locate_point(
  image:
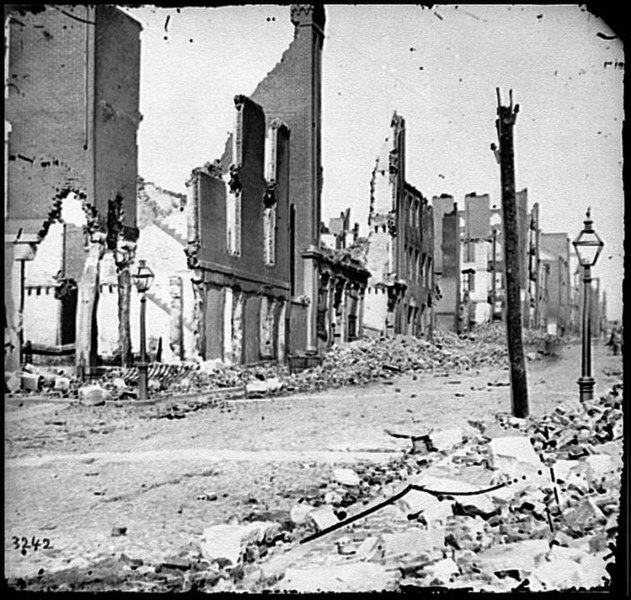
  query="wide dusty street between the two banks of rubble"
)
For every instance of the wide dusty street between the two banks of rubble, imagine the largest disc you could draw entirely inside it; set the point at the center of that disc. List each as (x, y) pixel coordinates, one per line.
(74, 473)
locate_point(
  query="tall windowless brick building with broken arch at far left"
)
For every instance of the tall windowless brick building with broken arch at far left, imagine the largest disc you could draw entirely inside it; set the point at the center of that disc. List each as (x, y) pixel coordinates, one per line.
(71, 118)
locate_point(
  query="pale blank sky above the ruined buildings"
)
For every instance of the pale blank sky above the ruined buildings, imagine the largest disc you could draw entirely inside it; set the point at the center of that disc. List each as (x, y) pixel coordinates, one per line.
(439, 68)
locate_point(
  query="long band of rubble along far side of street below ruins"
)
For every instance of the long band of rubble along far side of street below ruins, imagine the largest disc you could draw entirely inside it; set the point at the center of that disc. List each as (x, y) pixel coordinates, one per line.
(356, 363)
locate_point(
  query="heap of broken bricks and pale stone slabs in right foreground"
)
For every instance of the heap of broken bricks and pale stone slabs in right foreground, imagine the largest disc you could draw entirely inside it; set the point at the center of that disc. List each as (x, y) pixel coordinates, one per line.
(516, 504)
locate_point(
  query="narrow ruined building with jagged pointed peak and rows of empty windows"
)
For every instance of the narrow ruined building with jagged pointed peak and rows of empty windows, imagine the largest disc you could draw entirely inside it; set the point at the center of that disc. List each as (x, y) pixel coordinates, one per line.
(401, 291)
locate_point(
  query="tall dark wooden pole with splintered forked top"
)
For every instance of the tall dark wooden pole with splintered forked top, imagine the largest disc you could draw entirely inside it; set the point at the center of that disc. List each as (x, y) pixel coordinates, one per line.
(519, 388)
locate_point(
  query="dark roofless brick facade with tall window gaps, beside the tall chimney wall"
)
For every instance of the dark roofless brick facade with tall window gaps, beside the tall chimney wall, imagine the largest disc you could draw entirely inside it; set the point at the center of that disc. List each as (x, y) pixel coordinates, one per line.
(237, 235)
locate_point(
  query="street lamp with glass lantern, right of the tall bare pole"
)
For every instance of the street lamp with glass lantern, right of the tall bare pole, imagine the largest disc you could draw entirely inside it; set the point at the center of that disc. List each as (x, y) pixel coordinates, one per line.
(588, 248)
